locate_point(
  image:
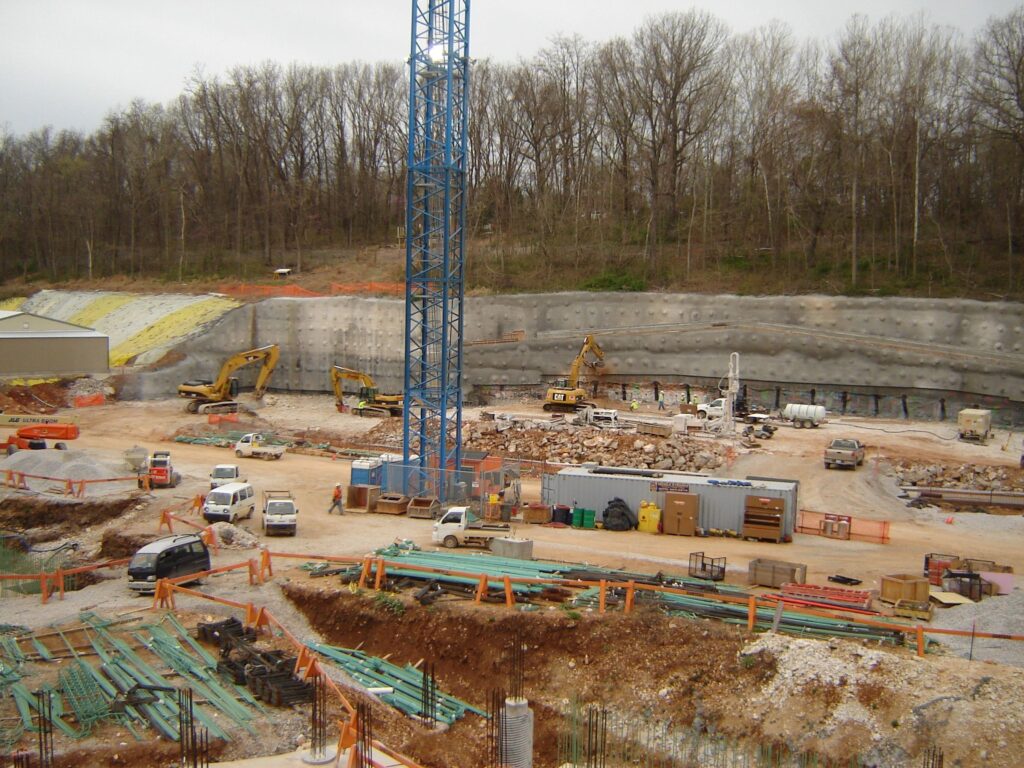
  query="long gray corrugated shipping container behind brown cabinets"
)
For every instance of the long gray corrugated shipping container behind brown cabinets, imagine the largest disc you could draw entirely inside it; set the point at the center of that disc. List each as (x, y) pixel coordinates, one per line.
(722, 500)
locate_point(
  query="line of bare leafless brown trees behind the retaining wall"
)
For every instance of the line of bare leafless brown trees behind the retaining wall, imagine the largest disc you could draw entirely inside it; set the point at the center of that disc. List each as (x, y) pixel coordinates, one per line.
(887, 159)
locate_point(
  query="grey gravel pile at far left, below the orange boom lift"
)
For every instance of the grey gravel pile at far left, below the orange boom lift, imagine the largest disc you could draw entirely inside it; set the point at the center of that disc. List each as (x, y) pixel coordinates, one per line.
(59, 466)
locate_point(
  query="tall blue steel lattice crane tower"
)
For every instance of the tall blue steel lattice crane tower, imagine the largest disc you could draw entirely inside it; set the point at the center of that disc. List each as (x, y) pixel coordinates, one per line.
(436, 214)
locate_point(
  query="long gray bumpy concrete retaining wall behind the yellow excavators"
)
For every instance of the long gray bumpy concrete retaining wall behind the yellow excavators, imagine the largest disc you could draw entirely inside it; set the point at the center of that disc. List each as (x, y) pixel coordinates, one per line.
(864, 346)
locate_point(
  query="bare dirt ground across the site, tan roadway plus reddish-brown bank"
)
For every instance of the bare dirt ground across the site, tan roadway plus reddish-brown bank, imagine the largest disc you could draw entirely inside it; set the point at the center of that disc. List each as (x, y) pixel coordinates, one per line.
(836, 700)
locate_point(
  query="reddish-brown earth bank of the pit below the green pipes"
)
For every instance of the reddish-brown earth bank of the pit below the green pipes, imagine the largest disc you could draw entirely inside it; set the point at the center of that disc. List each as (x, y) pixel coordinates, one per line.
(641, 666)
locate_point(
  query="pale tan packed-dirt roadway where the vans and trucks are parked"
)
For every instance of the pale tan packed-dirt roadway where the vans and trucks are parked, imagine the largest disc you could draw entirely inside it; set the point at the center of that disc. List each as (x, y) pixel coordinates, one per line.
(869, 493)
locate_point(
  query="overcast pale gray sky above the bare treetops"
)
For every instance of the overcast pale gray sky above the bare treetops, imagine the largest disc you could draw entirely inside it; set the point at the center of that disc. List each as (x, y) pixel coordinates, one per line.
(68, 63)
